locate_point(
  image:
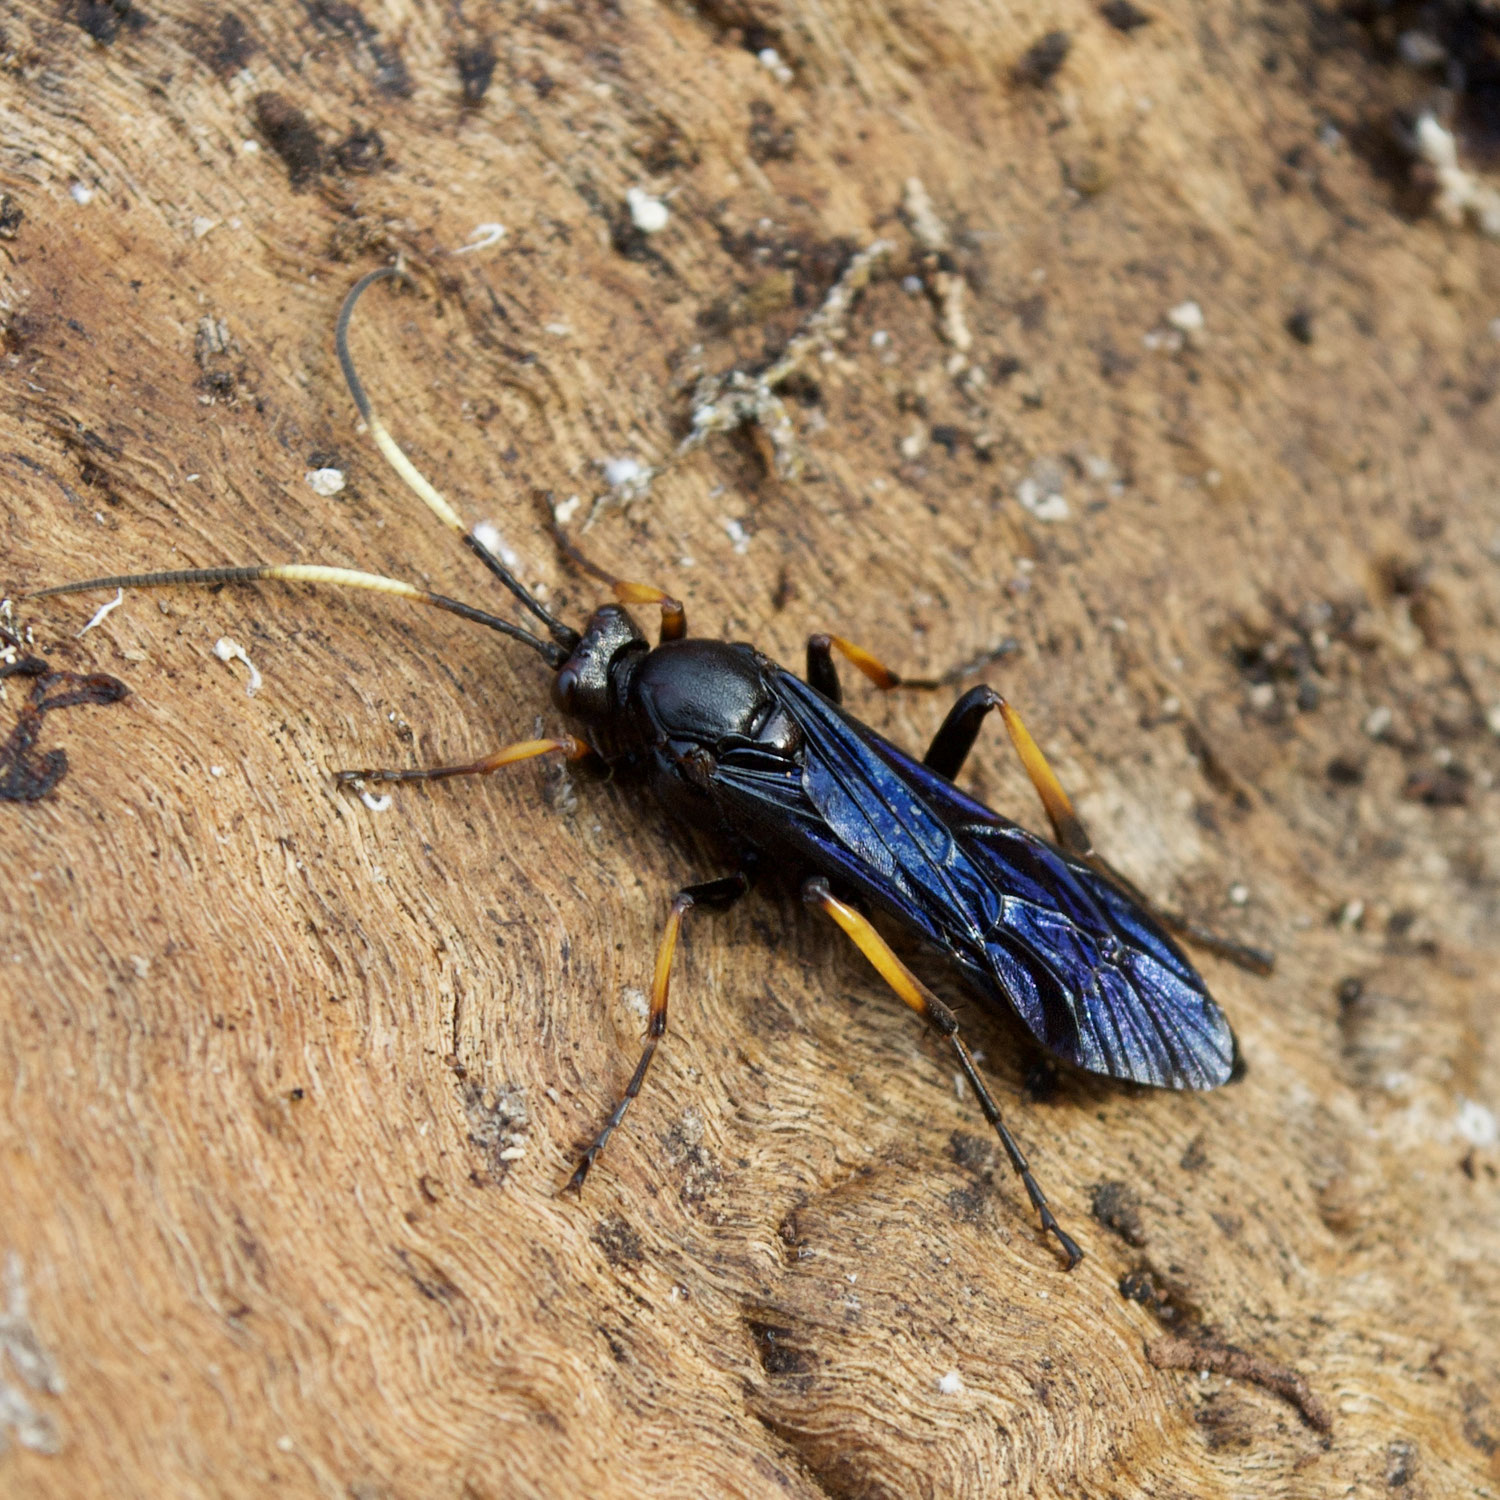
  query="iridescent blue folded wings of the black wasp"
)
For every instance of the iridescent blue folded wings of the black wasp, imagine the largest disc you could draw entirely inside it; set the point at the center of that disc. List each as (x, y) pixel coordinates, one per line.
(1093, 976)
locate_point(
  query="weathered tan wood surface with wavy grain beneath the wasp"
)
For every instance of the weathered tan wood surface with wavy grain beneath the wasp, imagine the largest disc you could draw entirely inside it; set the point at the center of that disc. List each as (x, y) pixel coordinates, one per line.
(292, 1087)
